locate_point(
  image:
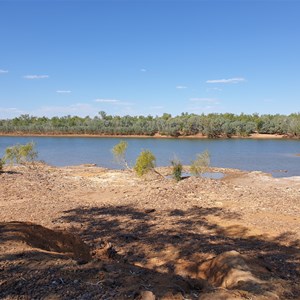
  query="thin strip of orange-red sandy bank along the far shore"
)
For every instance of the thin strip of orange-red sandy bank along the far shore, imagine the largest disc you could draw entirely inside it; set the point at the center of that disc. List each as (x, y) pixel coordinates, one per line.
(157, 136)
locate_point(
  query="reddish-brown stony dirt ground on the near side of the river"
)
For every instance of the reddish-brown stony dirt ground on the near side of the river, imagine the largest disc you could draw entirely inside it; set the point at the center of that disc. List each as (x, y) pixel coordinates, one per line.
(85, 232)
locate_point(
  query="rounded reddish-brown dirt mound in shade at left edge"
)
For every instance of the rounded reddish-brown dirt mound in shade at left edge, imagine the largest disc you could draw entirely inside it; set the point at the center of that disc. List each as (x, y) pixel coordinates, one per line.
(37, 236)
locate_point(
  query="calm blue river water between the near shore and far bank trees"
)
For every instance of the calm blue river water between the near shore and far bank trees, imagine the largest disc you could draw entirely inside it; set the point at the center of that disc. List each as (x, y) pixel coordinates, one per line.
(276, 156)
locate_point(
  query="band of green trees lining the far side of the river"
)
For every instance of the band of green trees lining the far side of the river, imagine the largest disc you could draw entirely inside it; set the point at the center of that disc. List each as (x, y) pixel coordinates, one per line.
(210, 125)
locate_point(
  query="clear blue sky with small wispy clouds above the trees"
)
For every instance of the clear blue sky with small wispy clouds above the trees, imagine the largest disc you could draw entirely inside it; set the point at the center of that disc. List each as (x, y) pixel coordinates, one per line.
(149, 57)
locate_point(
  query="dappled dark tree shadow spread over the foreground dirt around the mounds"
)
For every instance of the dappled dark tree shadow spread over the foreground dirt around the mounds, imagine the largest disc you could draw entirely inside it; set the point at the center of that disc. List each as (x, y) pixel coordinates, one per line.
(160, 251)
